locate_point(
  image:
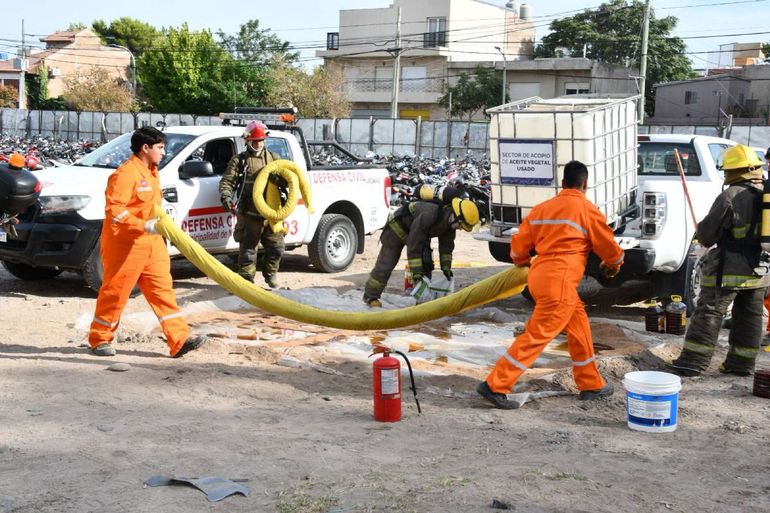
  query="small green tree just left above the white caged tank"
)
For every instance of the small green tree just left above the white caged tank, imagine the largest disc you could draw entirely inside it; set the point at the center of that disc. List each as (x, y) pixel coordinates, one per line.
(479, 89)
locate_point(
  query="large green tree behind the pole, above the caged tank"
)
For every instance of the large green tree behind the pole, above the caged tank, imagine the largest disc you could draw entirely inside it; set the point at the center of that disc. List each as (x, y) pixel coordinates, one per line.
(612, 33)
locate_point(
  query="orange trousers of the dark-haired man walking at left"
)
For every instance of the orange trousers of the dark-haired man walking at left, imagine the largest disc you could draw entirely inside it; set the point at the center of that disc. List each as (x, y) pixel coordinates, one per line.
(147, 263)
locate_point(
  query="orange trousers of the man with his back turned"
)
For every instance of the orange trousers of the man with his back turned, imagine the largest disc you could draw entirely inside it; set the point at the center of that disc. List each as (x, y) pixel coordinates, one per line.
(553, 282)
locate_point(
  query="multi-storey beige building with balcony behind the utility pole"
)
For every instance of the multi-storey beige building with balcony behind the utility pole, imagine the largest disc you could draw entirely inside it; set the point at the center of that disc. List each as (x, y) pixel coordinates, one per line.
(435, 34)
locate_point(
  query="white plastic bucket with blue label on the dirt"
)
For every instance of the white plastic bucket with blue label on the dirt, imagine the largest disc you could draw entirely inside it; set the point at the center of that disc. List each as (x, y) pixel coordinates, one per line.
(652, 400)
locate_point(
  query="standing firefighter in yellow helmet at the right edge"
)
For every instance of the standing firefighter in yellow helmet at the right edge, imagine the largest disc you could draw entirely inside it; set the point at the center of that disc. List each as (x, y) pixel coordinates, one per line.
(728, 272)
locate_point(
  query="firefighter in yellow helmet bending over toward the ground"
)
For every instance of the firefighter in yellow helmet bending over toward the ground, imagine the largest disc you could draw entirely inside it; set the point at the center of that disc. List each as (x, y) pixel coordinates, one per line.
(413, 226)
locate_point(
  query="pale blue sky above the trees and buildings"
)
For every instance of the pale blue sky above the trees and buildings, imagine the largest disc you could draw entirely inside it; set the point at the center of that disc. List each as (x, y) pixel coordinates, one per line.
(703, 23)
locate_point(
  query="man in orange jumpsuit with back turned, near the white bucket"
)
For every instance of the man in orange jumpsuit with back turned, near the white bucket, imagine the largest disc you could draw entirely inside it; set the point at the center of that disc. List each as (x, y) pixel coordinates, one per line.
(562, 231)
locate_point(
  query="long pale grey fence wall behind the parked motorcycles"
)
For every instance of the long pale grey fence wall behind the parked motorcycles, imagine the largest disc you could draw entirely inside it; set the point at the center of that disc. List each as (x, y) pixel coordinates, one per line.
(382, 136)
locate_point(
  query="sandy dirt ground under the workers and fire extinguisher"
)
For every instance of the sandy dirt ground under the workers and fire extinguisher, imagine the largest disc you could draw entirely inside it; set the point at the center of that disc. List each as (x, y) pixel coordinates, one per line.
(287, 409)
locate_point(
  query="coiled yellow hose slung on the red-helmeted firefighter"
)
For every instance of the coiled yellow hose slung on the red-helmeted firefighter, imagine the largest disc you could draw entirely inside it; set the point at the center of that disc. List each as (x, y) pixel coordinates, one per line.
(267, 198)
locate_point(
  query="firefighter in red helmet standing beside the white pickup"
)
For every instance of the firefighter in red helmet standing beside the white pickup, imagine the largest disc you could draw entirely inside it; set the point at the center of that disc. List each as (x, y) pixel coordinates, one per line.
(251, 228)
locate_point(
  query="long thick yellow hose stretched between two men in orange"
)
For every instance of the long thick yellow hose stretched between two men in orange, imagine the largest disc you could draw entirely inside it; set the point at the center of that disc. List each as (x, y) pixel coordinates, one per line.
(499, 286)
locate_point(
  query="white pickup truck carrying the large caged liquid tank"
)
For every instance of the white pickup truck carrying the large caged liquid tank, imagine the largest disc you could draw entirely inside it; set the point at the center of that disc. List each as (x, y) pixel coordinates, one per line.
(658, 239)
